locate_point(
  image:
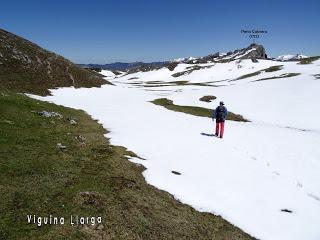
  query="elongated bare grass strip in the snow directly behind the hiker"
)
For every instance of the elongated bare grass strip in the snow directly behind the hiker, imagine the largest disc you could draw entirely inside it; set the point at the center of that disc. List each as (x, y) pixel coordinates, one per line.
(196, 111)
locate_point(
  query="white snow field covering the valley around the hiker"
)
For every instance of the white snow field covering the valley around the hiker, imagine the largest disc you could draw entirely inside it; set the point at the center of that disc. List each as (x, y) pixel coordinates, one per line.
(262, 177)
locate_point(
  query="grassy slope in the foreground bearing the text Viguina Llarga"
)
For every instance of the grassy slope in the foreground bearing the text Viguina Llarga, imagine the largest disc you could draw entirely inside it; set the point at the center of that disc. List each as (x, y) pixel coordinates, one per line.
(88, 178)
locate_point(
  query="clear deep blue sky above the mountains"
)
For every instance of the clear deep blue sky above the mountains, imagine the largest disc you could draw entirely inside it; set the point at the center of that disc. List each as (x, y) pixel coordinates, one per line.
(100, 31)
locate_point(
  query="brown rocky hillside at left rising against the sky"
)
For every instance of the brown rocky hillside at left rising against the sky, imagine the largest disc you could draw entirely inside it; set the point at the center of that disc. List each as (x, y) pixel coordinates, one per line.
(26, 67)
